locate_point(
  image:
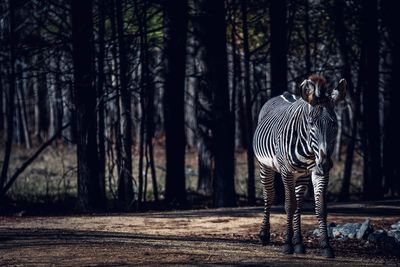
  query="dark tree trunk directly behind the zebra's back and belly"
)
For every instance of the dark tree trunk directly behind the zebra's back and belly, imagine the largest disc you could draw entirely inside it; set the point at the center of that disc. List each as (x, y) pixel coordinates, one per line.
(279, 46)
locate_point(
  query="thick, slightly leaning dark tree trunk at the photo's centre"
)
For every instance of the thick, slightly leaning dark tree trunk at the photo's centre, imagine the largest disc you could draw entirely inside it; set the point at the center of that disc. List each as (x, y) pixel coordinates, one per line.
(213, 37)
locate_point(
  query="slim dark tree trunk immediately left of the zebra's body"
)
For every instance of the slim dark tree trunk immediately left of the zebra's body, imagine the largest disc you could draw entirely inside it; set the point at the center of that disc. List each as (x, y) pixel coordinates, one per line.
(251, 193)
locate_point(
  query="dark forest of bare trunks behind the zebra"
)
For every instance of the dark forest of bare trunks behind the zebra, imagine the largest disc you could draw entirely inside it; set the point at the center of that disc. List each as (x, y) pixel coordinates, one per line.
(135, 104)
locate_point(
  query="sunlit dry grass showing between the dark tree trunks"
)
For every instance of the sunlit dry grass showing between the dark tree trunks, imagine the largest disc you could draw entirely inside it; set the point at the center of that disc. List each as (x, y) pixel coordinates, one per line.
(52, 176)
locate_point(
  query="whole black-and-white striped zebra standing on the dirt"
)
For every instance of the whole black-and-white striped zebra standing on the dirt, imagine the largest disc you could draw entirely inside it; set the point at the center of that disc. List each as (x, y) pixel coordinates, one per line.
(296, 136)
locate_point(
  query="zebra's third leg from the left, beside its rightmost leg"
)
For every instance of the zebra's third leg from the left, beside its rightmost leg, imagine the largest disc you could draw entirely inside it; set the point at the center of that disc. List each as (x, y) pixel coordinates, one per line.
(301, 187)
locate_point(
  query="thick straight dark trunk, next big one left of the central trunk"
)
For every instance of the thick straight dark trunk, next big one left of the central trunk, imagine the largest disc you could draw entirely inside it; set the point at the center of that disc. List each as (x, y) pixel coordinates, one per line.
(175, 20)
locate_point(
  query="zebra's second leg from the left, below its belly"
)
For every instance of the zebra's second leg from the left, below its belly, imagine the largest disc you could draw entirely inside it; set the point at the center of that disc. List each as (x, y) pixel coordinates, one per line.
(290, 207)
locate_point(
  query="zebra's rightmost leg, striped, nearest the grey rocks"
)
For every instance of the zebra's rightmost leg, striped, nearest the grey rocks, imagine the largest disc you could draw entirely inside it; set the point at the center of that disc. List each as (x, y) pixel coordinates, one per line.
(320, 184)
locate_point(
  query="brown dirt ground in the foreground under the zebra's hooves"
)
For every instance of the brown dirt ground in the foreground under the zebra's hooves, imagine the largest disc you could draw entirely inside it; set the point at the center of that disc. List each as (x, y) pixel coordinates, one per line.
(194, 237)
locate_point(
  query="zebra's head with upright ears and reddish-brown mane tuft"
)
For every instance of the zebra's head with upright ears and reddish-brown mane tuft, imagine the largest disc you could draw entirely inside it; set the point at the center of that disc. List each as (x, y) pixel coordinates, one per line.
(321, 119)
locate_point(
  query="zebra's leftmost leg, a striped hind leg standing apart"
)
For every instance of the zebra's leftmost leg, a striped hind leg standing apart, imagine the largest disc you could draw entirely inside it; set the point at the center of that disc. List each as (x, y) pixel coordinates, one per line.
(267, 181)
